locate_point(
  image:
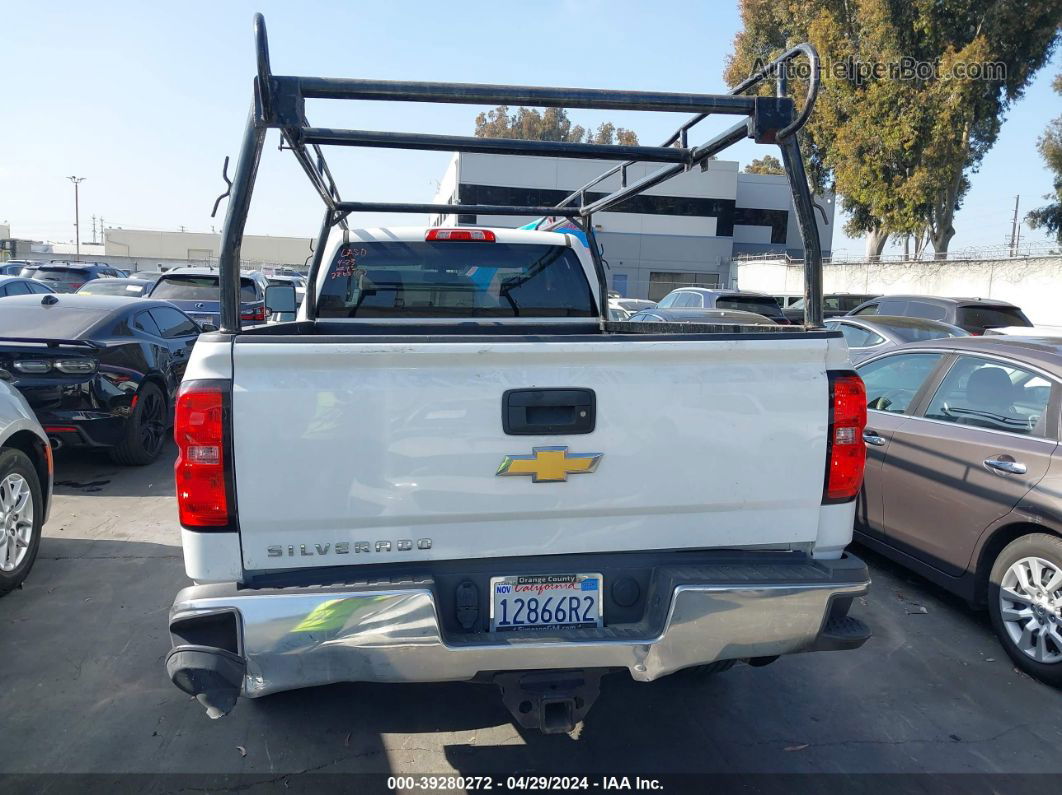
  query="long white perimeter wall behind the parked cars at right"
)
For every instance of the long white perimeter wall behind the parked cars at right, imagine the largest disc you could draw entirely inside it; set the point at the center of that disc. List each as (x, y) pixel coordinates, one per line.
(1034, 284)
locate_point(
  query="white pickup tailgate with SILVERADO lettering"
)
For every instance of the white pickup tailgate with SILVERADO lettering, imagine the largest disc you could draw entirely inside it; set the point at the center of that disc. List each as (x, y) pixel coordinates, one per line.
(363, 452)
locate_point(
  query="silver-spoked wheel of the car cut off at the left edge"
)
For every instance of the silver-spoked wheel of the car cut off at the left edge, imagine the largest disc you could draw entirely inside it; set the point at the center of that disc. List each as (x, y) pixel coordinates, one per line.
(22, 516)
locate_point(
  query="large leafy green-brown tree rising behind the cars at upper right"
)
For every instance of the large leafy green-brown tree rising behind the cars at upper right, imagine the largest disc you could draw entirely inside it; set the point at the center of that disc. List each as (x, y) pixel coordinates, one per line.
(914, 95)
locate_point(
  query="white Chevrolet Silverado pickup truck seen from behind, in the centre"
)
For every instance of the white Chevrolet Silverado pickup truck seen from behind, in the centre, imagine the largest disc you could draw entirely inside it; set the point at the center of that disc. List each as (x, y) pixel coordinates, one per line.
(452, 468)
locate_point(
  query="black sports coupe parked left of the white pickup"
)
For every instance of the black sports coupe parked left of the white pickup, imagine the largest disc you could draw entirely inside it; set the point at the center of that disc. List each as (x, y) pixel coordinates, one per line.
(98, 371)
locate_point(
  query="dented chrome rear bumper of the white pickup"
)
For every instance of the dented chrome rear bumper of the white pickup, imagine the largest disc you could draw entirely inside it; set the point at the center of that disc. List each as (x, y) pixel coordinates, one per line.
(293, 638)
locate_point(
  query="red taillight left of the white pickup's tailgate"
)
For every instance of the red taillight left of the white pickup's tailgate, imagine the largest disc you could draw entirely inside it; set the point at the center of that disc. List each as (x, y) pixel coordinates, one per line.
(200, 472)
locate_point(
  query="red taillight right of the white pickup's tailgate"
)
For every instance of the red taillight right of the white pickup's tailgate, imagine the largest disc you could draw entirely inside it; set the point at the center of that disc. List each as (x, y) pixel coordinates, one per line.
(846, 454)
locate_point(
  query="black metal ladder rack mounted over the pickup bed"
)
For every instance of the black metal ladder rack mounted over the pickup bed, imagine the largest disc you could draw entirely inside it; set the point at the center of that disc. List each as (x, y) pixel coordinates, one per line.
(280, 103)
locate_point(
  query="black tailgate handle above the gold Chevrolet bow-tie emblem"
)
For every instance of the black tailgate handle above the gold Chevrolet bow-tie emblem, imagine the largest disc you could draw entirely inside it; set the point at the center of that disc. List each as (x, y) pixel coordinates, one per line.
(549, 412)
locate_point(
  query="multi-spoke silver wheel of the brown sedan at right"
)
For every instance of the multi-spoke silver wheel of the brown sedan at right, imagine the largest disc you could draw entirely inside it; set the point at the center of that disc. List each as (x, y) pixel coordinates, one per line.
(1025, 602)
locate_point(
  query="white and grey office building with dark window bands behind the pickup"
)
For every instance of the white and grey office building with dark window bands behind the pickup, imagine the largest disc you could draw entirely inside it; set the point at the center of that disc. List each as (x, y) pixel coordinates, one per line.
(684, 232)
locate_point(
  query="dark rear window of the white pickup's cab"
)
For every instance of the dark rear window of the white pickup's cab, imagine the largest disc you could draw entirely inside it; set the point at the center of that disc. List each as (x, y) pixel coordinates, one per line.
(455, 280)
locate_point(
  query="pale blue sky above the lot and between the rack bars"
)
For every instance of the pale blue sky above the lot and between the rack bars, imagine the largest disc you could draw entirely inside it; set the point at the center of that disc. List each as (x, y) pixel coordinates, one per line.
(145, 101)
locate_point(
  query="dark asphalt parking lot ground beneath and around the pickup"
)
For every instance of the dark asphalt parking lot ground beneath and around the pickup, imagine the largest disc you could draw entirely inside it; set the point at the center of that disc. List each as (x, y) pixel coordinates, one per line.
(84, 688)
